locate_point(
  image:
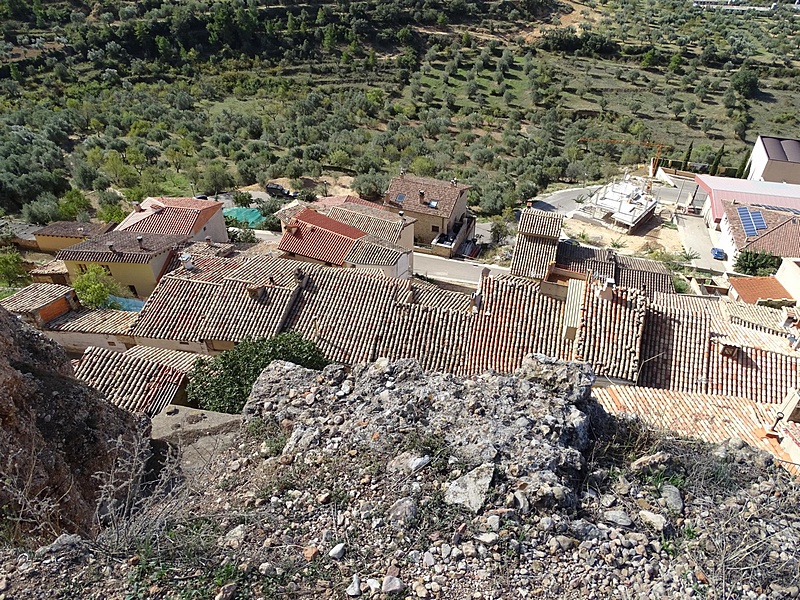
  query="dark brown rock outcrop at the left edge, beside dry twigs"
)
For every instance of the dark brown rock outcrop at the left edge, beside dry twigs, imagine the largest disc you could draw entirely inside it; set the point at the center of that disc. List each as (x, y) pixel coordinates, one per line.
(56, 434)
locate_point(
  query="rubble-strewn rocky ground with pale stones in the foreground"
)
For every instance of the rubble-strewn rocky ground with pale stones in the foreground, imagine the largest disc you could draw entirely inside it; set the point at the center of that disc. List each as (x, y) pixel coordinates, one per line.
(384, 481)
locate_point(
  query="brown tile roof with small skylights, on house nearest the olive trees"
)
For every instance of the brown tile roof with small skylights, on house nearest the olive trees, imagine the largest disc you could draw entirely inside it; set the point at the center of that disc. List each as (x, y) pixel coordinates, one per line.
(408, 187)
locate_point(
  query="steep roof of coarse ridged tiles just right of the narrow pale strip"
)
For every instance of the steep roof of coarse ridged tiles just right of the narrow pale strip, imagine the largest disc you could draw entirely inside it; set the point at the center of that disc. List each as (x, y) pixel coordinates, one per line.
(610, 334)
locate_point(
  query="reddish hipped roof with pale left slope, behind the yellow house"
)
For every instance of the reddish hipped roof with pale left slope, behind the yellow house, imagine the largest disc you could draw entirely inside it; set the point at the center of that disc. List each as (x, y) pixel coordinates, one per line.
(171, 216)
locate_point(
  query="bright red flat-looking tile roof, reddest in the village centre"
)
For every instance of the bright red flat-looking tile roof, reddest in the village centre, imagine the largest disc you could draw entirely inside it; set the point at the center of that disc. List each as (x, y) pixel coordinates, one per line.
(312, 235)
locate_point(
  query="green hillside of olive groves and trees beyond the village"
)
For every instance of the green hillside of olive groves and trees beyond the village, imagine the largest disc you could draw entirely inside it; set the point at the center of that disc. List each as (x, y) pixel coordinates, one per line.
(167, 98)
